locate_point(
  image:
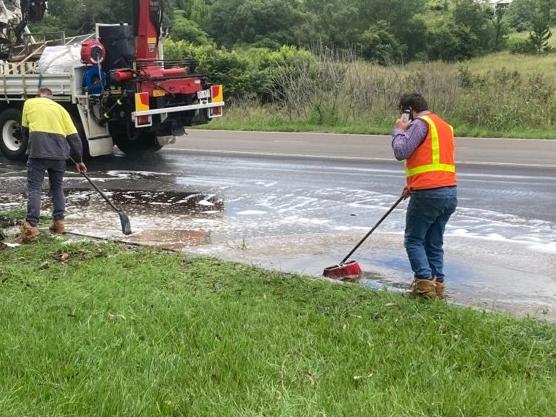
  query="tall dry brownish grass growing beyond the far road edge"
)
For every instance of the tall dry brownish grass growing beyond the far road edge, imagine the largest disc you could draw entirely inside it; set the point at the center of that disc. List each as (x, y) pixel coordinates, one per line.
(343, 91)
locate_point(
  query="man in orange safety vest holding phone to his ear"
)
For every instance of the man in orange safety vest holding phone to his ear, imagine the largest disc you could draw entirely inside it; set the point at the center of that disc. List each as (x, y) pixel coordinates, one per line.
(426, 142)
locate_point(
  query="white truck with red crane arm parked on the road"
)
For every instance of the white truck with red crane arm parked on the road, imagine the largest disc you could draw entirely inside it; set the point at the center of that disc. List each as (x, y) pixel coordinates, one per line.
(120, 91)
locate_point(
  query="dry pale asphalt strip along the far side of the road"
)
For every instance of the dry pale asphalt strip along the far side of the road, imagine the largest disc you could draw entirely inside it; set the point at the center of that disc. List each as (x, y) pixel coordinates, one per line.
(476, 151)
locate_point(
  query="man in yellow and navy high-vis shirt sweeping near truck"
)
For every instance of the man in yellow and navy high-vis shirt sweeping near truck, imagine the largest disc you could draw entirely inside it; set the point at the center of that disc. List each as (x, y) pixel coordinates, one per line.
(52, 139)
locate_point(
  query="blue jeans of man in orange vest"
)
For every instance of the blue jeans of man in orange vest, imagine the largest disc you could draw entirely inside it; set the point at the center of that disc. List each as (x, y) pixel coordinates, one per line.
(427, 214)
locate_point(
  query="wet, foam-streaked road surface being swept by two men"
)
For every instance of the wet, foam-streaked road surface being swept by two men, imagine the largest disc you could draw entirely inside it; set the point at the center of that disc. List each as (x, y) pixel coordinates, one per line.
(299, 214)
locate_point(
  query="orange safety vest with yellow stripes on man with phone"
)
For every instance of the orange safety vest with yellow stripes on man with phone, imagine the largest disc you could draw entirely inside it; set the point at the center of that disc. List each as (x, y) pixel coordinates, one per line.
(432, 164)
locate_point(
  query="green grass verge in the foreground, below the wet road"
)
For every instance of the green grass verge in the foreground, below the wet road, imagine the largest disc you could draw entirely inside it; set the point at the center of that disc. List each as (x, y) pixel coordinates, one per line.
(94, 329)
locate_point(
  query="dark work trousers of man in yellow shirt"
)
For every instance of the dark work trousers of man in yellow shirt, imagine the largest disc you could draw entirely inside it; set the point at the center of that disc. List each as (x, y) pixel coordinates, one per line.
(35, 177)
